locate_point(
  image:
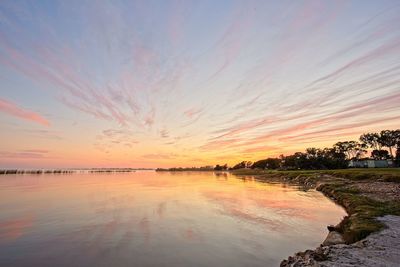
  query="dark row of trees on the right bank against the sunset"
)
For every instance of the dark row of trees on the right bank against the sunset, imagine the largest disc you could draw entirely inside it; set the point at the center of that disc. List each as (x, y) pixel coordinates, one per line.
(383, 145)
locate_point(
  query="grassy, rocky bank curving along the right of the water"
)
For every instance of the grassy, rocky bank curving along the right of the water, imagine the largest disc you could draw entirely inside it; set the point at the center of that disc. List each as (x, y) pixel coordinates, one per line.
(371, 226)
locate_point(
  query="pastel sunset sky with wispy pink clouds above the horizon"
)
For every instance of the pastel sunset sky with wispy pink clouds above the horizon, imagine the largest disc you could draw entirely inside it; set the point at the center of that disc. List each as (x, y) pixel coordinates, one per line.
(191, 83)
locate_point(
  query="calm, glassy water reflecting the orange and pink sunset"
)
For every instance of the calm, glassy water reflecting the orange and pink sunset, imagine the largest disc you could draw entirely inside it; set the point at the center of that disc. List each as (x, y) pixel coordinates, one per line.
(156, 219)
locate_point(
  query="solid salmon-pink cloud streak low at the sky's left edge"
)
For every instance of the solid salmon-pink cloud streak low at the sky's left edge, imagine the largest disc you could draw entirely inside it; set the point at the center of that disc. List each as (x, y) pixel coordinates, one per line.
(16, 111)
